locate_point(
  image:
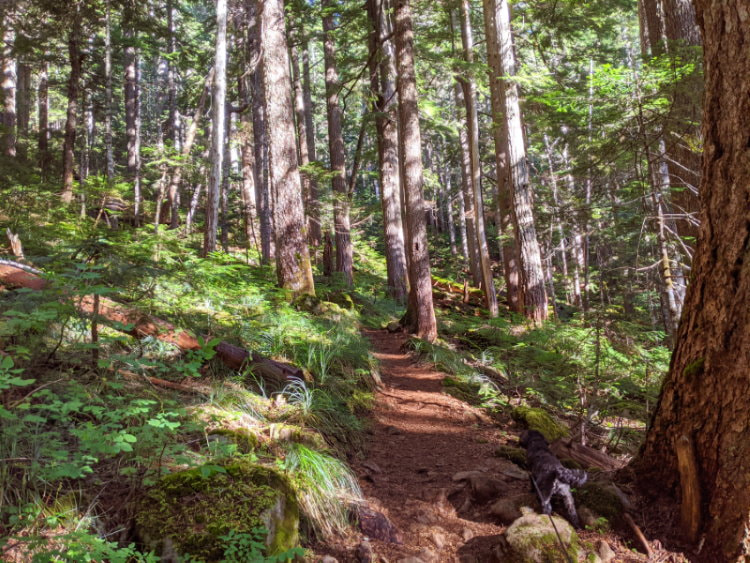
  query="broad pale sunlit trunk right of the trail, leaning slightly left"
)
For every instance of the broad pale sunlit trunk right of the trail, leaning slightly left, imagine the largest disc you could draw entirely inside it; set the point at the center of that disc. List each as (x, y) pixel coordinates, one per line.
(535, 295)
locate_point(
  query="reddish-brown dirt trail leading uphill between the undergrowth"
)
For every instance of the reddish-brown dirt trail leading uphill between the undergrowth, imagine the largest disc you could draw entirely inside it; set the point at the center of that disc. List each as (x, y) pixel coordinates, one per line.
(419, 441)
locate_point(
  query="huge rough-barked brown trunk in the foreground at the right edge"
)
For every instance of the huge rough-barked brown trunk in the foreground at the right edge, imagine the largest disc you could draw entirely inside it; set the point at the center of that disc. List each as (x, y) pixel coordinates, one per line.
(704, 395)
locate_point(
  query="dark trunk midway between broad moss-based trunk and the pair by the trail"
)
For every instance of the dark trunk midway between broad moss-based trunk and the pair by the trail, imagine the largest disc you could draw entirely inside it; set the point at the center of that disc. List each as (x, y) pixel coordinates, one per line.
(341, 195)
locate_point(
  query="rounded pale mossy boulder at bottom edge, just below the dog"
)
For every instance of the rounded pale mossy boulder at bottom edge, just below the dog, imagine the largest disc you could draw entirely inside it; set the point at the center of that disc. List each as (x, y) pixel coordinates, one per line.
(533, 539)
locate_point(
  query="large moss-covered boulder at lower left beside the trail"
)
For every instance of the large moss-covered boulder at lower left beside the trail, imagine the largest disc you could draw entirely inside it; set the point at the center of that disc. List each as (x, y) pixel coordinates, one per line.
(187, 513)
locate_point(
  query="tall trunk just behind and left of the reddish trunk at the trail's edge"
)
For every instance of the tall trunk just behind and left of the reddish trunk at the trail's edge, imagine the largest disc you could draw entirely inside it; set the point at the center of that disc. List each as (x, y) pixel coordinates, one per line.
(382, 76)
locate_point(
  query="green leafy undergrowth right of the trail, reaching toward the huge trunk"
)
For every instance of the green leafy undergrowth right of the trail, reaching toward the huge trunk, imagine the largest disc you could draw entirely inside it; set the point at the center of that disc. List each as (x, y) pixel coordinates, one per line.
(602, 374)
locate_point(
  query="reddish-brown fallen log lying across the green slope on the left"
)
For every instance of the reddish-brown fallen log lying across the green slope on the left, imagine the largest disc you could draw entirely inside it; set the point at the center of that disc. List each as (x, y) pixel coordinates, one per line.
(138, 324)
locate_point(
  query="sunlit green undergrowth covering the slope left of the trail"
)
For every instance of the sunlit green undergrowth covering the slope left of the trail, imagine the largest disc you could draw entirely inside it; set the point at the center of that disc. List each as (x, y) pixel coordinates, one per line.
(85, 431)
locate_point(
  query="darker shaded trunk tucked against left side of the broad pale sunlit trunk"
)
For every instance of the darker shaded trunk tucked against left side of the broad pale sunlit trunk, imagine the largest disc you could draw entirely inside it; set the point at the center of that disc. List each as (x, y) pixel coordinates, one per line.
(507, 240)
